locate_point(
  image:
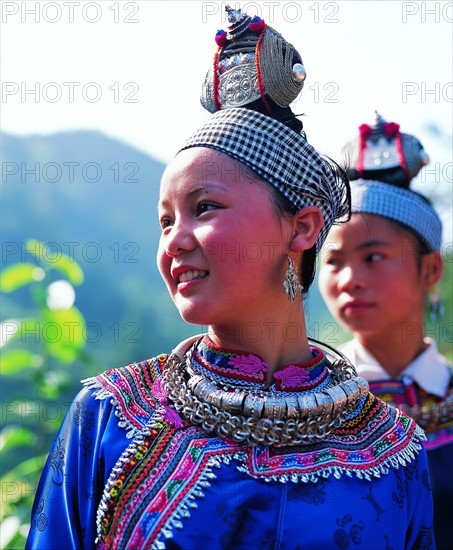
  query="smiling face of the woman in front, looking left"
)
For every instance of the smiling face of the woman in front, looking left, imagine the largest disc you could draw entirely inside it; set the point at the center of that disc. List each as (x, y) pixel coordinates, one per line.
(222, 251)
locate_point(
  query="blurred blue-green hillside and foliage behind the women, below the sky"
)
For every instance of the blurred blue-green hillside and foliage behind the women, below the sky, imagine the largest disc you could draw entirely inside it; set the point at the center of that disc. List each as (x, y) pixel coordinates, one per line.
(85, 295)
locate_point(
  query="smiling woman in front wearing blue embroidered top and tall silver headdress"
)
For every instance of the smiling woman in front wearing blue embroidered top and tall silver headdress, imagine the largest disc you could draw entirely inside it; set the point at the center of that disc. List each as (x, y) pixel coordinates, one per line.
(247, 436)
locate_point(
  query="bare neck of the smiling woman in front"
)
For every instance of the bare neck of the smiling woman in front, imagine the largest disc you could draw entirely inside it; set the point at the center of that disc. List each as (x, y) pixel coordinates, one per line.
(275, 342)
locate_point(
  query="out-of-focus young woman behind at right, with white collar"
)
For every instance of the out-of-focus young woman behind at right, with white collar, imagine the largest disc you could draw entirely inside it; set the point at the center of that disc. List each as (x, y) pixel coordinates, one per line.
(377, 271)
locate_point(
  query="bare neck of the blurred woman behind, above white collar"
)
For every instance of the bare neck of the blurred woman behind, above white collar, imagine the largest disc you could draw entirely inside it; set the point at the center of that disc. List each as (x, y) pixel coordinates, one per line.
(395, 351)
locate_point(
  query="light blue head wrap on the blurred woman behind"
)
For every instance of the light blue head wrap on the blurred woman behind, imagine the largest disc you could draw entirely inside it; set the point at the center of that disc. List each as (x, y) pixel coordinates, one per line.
(401, 205)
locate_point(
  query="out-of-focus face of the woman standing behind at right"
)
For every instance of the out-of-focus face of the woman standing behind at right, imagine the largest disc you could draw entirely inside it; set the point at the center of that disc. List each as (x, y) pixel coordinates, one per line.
(371, 278)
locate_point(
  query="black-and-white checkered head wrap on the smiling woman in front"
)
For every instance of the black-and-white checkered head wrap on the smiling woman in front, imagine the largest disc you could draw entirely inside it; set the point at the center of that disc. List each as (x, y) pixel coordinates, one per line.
(280, 156)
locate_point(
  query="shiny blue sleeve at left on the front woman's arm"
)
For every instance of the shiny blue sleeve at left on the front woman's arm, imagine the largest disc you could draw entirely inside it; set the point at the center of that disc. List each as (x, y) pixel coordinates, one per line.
(71, 484)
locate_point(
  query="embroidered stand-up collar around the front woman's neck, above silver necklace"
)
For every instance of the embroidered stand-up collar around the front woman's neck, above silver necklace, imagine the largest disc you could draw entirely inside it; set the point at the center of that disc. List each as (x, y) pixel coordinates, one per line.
(234, 368)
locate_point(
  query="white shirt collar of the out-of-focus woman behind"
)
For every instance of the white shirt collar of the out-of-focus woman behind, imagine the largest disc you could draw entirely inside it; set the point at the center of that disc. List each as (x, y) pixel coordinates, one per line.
(430, 370)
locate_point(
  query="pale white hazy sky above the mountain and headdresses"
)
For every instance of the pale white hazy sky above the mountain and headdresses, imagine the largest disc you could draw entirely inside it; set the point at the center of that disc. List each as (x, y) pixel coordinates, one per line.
(134, 69)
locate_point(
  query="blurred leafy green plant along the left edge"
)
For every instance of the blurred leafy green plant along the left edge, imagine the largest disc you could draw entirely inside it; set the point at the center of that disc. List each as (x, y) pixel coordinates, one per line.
(37, 347)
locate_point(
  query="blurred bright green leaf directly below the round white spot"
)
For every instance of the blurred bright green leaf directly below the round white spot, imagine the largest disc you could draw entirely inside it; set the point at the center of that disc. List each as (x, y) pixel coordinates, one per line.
(63, 332)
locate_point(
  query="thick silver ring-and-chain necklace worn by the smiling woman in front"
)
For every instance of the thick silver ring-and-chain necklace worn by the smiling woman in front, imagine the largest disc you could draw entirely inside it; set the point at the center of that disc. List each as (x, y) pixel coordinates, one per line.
(263, 417)
